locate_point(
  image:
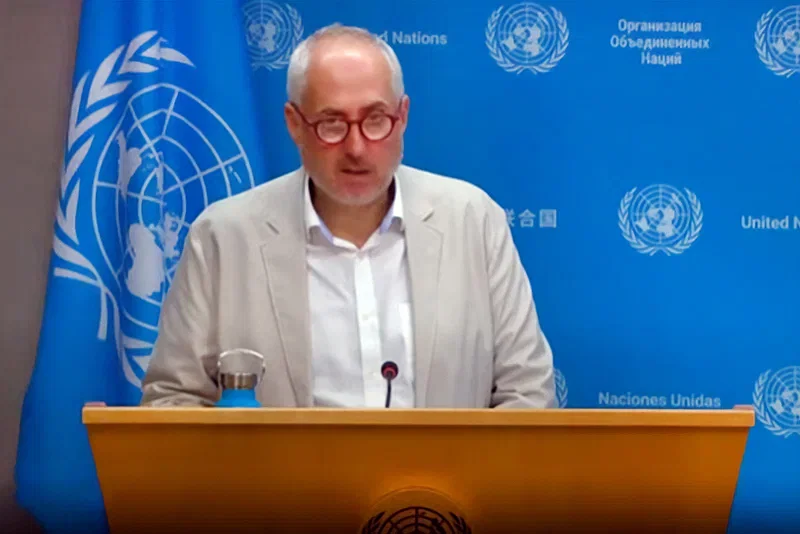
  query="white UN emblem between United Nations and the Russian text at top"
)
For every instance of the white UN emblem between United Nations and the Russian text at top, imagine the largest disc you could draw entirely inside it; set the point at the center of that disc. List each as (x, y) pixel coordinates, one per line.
(527, 36)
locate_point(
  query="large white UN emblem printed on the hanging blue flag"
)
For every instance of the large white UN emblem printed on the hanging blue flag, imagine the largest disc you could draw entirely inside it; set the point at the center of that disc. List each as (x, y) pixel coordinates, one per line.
(139, 169)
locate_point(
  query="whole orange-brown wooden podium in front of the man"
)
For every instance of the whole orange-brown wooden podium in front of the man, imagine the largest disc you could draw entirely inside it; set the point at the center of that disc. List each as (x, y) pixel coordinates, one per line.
(357, 471)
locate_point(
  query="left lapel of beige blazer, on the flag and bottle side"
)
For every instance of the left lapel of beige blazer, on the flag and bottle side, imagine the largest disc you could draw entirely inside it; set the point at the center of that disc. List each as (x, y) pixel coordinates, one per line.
(284, 255)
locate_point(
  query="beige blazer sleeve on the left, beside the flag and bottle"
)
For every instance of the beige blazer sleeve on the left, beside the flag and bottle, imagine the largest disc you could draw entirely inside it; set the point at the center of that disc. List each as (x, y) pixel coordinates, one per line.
(183, 359)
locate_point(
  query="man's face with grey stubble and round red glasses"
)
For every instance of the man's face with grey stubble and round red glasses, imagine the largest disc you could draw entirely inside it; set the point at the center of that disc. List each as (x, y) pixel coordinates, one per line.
(351, 80)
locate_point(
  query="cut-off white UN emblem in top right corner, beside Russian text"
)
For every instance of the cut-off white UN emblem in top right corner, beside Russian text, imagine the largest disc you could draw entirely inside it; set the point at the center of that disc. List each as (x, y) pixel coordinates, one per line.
(778, 40)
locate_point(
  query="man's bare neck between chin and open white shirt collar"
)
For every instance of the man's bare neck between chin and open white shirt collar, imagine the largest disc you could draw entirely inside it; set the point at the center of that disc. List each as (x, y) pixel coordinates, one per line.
(352, 223)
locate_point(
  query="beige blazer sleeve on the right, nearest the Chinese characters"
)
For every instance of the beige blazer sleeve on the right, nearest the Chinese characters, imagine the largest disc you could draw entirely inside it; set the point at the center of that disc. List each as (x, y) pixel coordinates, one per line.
(523, 361)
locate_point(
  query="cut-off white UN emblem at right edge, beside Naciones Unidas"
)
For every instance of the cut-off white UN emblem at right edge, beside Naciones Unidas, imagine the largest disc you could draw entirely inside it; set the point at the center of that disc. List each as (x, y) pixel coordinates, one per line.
(777, 400)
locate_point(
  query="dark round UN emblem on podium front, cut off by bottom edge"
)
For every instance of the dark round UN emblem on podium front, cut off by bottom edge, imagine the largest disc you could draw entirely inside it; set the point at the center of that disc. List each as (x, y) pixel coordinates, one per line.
(415, 510)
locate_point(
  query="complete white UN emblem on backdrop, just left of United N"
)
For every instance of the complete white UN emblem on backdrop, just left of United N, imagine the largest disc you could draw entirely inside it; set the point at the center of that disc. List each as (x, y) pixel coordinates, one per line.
(660, 218)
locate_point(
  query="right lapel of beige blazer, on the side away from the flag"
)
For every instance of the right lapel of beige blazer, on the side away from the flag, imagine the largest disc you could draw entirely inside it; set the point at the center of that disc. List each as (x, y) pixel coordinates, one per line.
(424, 247)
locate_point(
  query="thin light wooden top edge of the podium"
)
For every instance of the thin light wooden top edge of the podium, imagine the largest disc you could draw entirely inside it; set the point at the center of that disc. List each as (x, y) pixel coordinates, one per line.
(101, 415)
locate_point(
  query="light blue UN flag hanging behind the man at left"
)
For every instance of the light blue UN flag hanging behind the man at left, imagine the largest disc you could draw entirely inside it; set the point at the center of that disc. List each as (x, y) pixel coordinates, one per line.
(161, 124)
